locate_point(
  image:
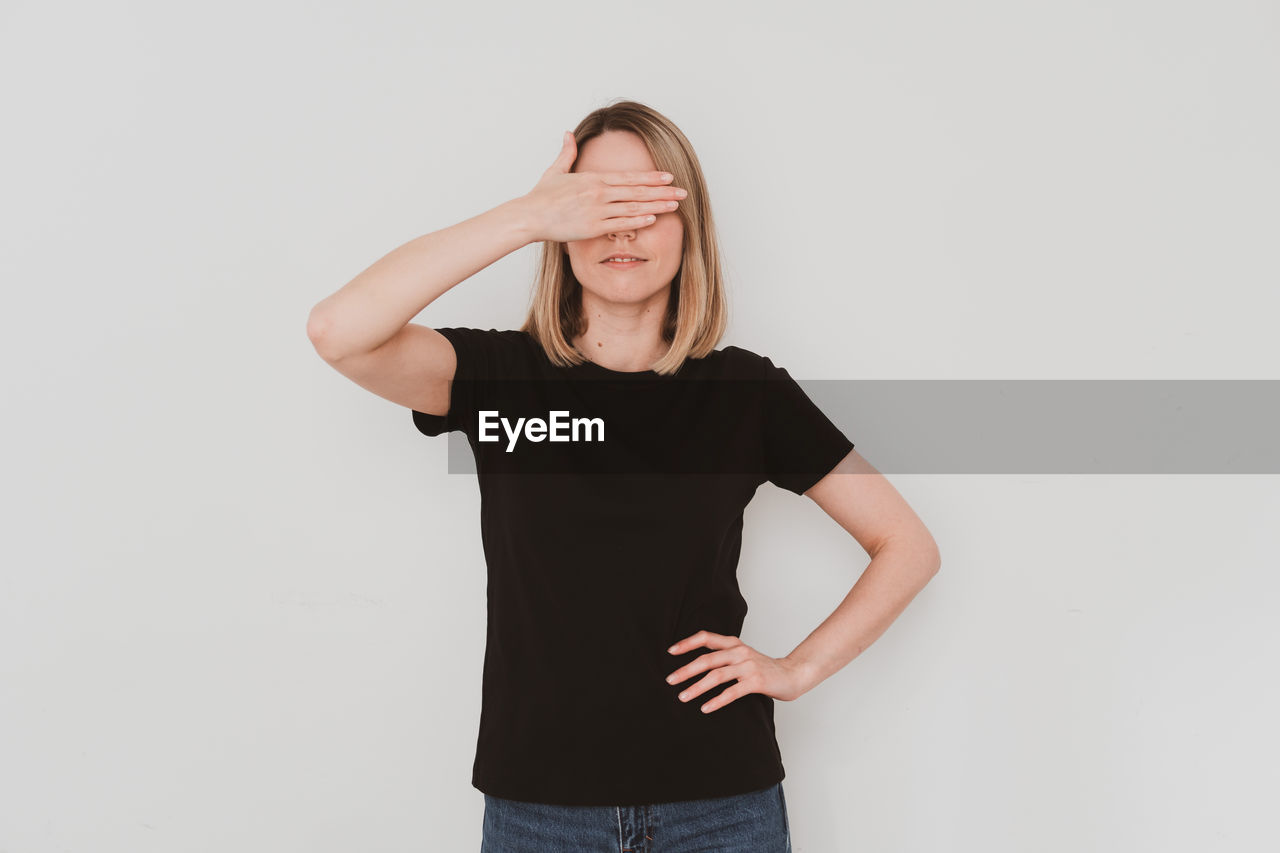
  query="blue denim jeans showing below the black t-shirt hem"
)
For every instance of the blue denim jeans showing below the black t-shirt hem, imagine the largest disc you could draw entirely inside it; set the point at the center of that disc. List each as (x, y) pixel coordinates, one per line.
(755, 823)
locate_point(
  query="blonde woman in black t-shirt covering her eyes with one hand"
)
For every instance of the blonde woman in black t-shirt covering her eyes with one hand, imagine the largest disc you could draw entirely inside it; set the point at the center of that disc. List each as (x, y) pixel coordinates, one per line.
(620, 709)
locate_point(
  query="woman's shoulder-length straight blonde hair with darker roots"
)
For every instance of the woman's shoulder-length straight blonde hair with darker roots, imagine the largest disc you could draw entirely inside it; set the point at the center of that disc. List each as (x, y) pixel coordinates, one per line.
(697, 311)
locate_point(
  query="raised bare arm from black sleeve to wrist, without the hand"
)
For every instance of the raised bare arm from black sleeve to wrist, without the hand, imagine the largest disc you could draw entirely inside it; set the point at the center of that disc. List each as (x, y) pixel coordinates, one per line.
(364, 330)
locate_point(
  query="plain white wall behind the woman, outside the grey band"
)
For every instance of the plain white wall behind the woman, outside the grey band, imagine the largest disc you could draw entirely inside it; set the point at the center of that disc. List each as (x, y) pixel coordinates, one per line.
(243, 603)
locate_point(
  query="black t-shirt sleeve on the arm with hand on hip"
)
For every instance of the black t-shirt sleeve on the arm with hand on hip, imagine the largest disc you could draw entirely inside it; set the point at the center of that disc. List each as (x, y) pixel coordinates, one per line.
(802, 445)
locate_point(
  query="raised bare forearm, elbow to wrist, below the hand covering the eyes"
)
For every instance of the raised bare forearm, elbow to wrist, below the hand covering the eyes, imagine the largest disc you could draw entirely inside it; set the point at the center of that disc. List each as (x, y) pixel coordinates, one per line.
(377, 304)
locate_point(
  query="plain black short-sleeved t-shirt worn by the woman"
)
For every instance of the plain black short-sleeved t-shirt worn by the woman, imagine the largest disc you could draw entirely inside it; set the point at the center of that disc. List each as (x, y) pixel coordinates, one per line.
(605, 551)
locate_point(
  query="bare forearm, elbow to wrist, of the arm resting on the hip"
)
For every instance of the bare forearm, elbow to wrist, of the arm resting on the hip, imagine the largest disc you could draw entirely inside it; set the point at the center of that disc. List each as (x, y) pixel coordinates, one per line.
(888, 586)
